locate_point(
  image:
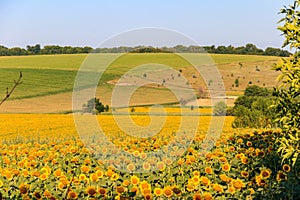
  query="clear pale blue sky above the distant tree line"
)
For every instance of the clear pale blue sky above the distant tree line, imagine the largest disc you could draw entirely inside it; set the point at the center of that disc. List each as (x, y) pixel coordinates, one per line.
(80, 23)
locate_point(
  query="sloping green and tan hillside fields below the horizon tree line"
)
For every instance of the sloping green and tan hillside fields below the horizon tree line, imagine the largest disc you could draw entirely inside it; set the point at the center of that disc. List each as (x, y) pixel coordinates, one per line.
(47, 78)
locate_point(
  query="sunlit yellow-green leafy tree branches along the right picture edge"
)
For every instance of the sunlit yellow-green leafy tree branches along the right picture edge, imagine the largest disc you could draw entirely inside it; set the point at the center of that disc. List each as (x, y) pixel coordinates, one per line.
(287, 102)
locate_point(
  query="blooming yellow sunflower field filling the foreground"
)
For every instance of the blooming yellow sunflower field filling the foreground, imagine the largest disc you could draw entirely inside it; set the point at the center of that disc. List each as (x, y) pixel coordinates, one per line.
(43, 157)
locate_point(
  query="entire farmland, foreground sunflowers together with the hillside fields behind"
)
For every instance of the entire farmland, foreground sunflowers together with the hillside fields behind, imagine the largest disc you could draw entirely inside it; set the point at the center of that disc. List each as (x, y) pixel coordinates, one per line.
(178, 152)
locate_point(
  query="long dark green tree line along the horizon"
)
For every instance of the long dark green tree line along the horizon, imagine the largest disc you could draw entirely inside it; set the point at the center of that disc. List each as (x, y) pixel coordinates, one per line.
(248, 49)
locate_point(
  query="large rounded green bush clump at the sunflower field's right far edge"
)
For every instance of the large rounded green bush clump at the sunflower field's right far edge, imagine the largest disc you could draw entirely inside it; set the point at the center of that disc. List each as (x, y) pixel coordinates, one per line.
(252, 109)
